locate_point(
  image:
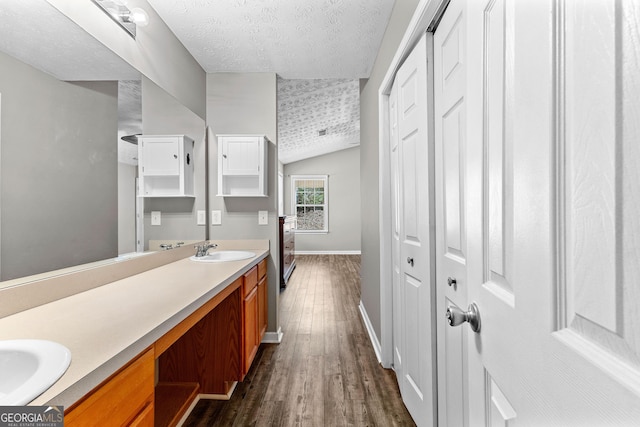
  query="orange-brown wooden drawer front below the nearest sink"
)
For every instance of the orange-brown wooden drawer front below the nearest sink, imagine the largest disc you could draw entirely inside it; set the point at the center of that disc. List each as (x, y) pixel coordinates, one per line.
(124, 398)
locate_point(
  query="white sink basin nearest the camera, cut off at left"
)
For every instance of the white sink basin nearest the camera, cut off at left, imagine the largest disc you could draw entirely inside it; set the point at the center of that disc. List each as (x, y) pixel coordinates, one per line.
(28, 368)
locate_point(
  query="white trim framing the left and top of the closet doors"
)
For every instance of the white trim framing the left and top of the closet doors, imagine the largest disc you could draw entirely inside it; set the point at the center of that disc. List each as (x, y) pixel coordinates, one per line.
(426, 13)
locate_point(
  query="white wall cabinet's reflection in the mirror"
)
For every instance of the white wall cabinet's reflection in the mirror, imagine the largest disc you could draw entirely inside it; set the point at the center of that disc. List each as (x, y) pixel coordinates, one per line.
(165, 166)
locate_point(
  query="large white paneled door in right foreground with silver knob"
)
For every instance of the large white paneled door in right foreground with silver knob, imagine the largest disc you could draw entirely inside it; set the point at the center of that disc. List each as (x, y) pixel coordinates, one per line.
(552, 247)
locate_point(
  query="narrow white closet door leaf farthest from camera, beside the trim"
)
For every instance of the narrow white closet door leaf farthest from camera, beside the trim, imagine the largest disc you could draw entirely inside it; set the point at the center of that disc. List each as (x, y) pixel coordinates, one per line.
(417, 376)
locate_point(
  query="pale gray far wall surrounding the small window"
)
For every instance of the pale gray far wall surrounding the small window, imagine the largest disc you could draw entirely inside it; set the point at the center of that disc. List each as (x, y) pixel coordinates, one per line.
(343, 168)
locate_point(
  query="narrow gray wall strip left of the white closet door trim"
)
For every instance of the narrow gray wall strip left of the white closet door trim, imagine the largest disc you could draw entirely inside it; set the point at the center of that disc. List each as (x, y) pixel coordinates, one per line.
(370, 269)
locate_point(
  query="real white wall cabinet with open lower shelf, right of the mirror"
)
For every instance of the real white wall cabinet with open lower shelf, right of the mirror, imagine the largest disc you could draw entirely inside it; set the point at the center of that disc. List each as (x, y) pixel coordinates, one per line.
(242, 166)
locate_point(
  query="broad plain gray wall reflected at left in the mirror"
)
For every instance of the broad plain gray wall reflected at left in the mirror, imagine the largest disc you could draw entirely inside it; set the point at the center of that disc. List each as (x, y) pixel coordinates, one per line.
(59, 191)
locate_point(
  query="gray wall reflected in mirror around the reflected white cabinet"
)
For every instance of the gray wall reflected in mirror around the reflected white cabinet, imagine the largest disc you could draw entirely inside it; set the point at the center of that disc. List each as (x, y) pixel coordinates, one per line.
(162, 114)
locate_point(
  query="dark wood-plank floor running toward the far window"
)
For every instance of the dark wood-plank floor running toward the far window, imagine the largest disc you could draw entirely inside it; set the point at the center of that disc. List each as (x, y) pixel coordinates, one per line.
(325, 372)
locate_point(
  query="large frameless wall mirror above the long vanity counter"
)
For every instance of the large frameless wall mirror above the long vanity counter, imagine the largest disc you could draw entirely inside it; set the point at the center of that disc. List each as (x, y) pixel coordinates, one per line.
(67, 178)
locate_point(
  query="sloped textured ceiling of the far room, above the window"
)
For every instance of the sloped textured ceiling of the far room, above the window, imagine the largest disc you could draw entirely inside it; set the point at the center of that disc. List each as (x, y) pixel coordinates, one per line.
(307, 108)
